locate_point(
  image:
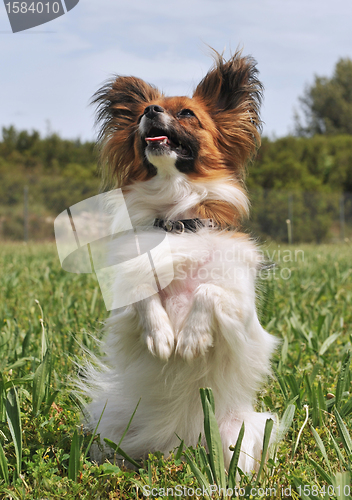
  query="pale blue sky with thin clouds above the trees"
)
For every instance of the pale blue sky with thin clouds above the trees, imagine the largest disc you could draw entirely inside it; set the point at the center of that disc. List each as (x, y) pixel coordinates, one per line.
(49, 73)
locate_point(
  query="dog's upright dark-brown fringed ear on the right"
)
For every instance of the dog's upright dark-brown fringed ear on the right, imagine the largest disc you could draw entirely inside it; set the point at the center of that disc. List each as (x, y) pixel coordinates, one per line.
(232, 94)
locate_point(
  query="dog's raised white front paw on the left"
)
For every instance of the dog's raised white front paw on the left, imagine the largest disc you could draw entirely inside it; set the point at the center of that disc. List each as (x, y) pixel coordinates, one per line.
(160, 338)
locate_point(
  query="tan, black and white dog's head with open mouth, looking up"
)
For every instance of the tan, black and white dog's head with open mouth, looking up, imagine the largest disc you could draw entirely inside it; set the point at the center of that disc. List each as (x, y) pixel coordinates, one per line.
(207, 137)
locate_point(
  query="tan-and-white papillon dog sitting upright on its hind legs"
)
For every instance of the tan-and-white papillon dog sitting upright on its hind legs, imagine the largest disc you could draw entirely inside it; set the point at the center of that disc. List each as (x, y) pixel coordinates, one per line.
(180, 163)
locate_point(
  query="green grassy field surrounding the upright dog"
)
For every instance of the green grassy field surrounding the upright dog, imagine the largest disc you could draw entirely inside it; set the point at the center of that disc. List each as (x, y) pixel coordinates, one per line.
(47, 315)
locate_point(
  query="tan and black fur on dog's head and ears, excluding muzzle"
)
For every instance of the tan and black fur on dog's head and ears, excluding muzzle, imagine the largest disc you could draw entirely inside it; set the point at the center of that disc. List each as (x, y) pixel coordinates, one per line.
(226, 106)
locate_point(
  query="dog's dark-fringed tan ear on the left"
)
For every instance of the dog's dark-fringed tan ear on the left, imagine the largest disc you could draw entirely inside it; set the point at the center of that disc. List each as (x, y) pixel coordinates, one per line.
(120, 103)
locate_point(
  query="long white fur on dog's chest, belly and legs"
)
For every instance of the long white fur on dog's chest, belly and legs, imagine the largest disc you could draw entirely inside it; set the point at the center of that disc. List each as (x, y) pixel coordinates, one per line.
(201, 331)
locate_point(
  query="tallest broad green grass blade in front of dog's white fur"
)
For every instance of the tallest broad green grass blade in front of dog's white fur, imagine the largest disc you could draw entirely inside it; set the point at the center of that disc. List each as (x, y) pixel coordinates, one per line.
(213, 438)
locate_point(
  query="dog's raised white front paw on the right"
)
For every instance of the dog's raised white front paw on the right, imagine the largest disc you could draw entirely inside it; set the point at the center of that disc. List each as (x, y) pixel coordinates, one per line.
(193, 340)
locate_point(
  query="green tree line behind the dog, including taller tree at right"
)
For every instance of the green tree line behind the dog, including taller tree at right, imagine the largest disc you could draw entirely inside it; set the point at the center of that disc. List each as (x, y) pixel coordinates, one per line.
(317, 158)
